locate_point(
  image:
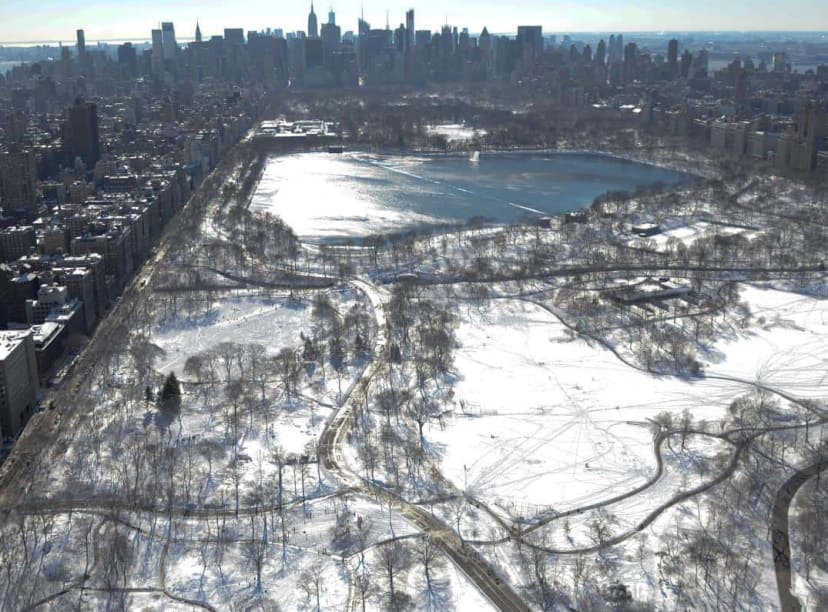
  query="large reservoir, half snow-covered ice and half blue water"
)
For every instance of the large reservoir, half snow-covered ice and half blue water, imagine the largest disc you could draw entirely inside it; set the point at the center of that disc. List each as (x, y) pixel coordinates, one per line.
(325, 197)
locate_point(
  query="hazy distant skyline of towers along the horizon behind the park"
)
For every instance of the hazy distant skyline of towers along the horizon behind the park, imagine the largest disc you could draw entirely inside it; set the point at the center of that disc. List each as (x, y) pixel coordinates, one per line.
(753, 109)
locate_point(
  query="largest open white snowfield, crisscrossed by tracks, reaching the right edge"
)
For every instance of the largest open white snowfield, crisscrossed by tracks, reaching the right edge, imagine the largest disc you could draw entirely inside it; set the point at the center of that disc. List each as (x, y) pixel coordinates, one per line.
(543, 422)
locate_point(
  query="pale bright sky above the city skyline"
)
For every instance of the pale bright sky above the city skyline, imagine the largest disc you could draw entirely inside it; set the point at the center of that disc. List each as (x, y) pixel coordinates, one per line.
(57, 20)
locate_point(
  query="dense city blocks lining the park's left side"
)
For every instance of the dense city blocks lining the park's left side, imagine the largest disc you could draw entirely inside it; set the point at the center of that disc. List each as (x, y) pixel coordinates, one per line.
(86, 190)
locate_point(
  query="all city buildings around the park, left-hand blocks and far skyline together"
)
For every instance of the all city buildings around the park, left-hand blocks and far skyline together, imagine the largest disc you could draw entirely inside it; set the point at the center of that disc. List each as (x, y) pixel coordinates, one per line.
(99, 147)
